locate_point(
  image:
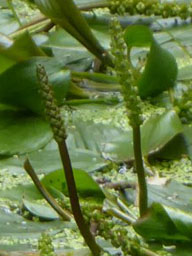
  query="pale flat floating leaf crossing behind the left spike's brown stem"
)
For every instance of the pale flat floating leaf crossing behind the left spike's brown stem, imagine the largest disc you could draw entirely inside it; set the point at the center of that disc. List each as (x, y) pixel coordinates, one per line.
(48, 160)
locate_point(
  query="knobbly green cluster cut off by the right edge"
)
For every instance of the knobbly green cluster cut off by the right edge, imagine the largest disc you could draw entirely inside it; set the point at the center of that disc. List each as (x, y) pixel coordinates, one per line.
(184, 106)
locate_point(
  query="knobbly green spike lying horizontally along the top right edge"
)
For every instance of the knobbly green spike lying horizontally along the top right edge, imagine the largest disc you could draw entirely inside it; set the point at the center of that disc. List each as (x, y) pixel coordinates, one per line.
(151, 7)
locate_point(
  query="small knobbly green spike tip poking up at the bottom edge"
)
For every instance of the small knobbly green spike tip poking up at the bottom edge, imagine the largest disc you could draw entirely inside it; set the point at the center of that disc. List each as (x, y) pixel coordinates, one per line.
(45, 245)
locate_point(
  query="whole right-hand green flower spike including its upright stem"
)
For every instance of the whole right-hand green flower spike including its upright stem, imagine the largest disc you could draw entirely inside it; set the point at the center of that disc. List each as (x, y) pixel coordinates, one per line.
(129, 91)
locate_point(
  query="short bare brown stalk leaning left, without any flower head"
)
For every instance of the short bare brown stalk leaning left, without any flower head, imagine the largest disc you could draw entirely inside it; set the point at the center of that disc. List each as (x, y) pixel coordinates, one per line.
(29, 169)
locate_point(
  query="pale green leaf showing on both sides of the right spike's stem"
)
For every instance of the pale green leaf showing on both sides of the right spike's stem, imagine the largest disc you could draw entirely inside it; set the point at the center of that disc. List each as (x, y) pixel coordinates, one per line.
(156, 132)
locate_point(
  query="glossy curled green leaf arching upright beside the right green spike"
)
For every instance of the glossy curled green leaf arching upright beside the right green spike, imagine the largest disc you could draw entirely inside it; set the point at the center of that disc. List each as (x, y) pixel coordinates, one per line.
(160, 72)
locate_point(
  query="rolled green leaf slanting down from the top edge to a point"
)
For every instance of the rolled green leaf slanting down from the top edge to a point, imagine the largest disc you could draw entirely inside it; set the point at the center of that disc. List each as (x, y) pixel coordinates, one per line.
(68, 16)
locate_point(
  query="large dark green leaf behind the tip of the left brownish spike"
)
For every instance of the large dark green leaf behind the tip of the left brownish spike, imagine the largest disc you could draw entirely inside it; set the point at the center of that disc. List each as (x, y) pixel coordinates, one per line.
(19, 85)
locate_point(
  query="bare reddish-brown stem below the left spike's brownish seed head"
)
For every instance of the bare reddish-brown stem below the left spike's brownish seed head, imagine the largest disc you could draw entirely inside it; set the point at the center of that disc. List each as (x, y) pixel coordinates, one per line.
(83, 227)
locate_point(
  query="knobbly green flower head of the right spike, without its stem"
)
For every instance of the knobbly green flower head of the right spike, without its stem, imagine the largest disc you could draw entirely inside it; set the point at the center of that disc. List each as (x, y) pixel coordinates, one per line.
(124, 72)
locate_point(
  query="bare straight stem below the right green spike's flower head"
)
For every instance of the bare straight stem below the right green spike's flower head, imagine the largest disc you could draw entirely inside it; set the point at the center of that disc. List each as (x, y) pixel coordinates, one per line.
(140, 170)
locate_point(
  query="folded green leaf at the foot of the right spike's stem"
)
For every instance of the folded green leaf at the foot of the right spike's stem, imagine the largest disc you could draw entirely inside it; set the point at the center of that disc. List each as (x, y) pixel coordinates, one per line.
(159, 224)
